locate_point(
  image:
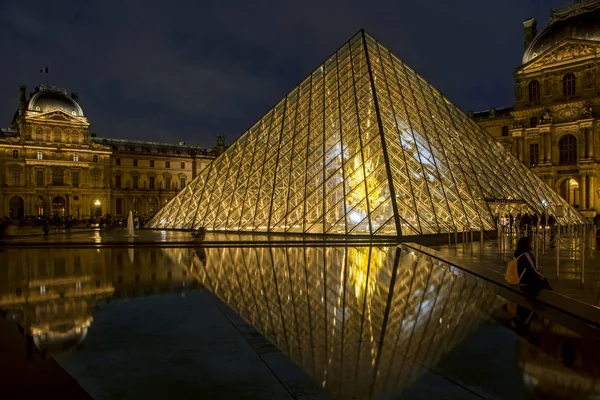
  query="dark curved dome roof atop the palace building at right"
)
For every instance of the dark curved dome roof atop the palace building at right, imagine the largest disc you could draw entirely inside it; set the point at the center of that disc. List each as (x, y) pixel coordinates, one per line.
(579, 21)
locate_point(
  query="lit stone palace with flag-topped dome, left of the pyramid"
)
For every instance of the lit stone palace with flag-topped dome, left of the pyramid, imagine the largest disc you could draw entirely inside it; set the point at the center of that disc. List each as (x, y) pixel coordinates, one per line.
(50, 164)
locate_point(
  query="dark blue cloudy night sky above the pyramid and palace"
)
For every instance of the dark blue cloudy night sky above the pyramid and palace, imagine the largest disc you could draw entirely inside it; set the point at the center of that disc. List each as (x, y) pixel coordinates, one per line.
(178, 70)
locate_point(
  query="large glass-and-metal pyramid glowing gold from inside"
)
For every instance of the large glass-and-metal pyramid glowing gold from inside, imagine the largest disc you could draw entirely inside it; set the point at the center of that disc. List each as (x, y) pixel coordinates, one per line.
(363, 146)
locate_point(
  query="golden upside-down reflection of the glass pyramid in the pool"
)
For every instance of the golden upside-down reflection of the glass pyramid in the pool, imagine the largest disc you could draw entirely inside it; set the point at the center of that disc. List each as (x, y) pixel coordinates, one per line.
(364, 322)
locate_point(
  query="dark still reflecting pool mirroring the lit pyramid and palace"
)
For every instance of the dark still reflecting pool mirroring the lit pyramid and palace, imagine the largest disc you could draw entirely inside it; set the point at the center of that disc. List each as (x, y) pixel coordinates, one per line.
(364, 322)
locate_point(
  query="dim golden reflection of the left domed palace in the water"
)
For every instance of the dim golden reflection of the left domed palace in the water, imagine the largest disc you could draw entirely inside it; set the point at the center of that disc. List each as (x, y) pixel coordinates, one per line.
(51, 293)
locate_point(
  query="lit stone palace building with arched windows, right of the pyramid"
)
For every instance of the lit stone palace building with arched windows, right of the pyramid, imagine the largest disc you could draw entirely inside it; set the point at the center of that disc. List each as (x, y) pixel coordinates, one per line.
(553, 126)
